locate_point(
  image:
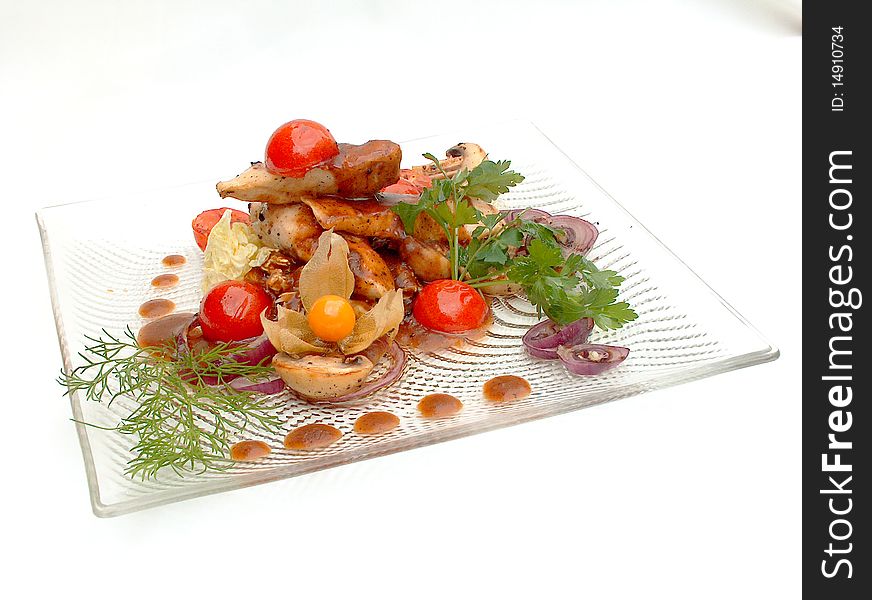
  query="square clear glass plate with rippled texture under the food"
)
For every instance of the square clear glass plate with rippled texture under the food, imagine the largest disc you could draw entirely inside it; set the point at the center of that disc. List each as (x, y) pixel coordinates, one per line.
(101, 257)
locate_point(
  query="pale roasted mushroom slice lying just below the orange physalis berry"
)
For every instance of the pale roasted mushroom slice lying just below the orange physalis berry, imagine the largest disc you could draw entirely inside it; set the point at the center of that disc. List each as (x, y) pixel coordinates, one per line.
(315, 376)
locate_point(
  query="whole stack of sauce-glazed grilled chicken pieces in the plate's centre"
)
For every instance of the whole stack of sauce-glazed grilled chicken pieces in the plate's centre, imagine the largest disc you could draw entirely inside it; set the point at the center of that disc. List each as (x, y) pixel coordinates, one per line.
(290, 213)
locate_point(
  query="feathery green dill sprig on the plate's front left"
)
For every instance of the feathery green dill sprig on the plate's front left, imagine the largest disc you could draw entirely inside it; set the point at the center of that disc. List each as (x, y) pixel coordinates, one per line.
(186, 411)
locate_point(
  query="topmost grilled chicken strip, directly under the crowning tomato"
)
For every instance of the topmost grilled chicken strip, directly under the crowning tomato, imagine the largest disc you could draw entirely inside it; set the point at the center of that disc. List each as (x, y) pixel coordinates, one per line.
(356, 171)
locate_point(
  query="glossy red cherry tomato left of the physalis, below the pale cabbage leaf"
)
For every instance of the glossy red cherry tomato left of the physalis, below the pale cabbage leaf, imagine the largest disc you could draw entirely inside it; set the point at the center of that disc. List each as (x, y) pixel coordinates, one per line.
(230, 312)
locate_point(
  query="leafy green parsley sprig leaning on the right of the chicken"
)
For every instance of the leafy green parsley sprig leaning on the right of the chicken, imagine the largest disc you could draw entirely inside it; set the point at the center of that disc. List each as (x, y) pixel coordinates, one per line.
(564, 286)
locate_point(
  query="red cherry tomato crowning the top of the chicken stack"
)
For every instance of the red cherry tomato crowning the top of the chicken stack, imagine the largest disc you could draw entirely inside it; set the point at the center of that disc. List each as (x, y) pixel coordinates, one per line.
(297, 146)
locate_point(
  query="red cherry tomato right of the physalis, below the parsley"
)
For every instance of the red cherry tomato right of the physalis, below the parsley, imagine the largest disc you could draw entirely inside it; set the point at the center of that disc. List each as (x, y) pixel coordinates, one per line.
(450, 306)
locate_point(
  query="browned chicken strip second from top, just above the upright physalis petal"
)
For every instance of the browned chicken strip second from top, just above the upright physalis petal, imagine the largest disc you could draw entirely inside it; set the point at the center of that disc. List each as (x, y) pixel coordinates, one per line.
(367, 218)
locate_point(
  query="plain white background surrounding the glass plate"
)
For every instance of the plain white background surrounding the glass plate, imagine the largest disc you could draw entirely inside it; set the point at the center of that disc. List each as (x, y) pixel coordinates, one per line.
(687, 112)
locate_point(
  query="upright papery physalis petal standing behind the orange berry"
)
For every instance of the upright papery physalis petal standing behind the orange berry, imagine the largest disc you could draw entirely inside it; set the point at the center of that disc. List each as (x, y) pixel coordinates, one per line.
(327, 272)
